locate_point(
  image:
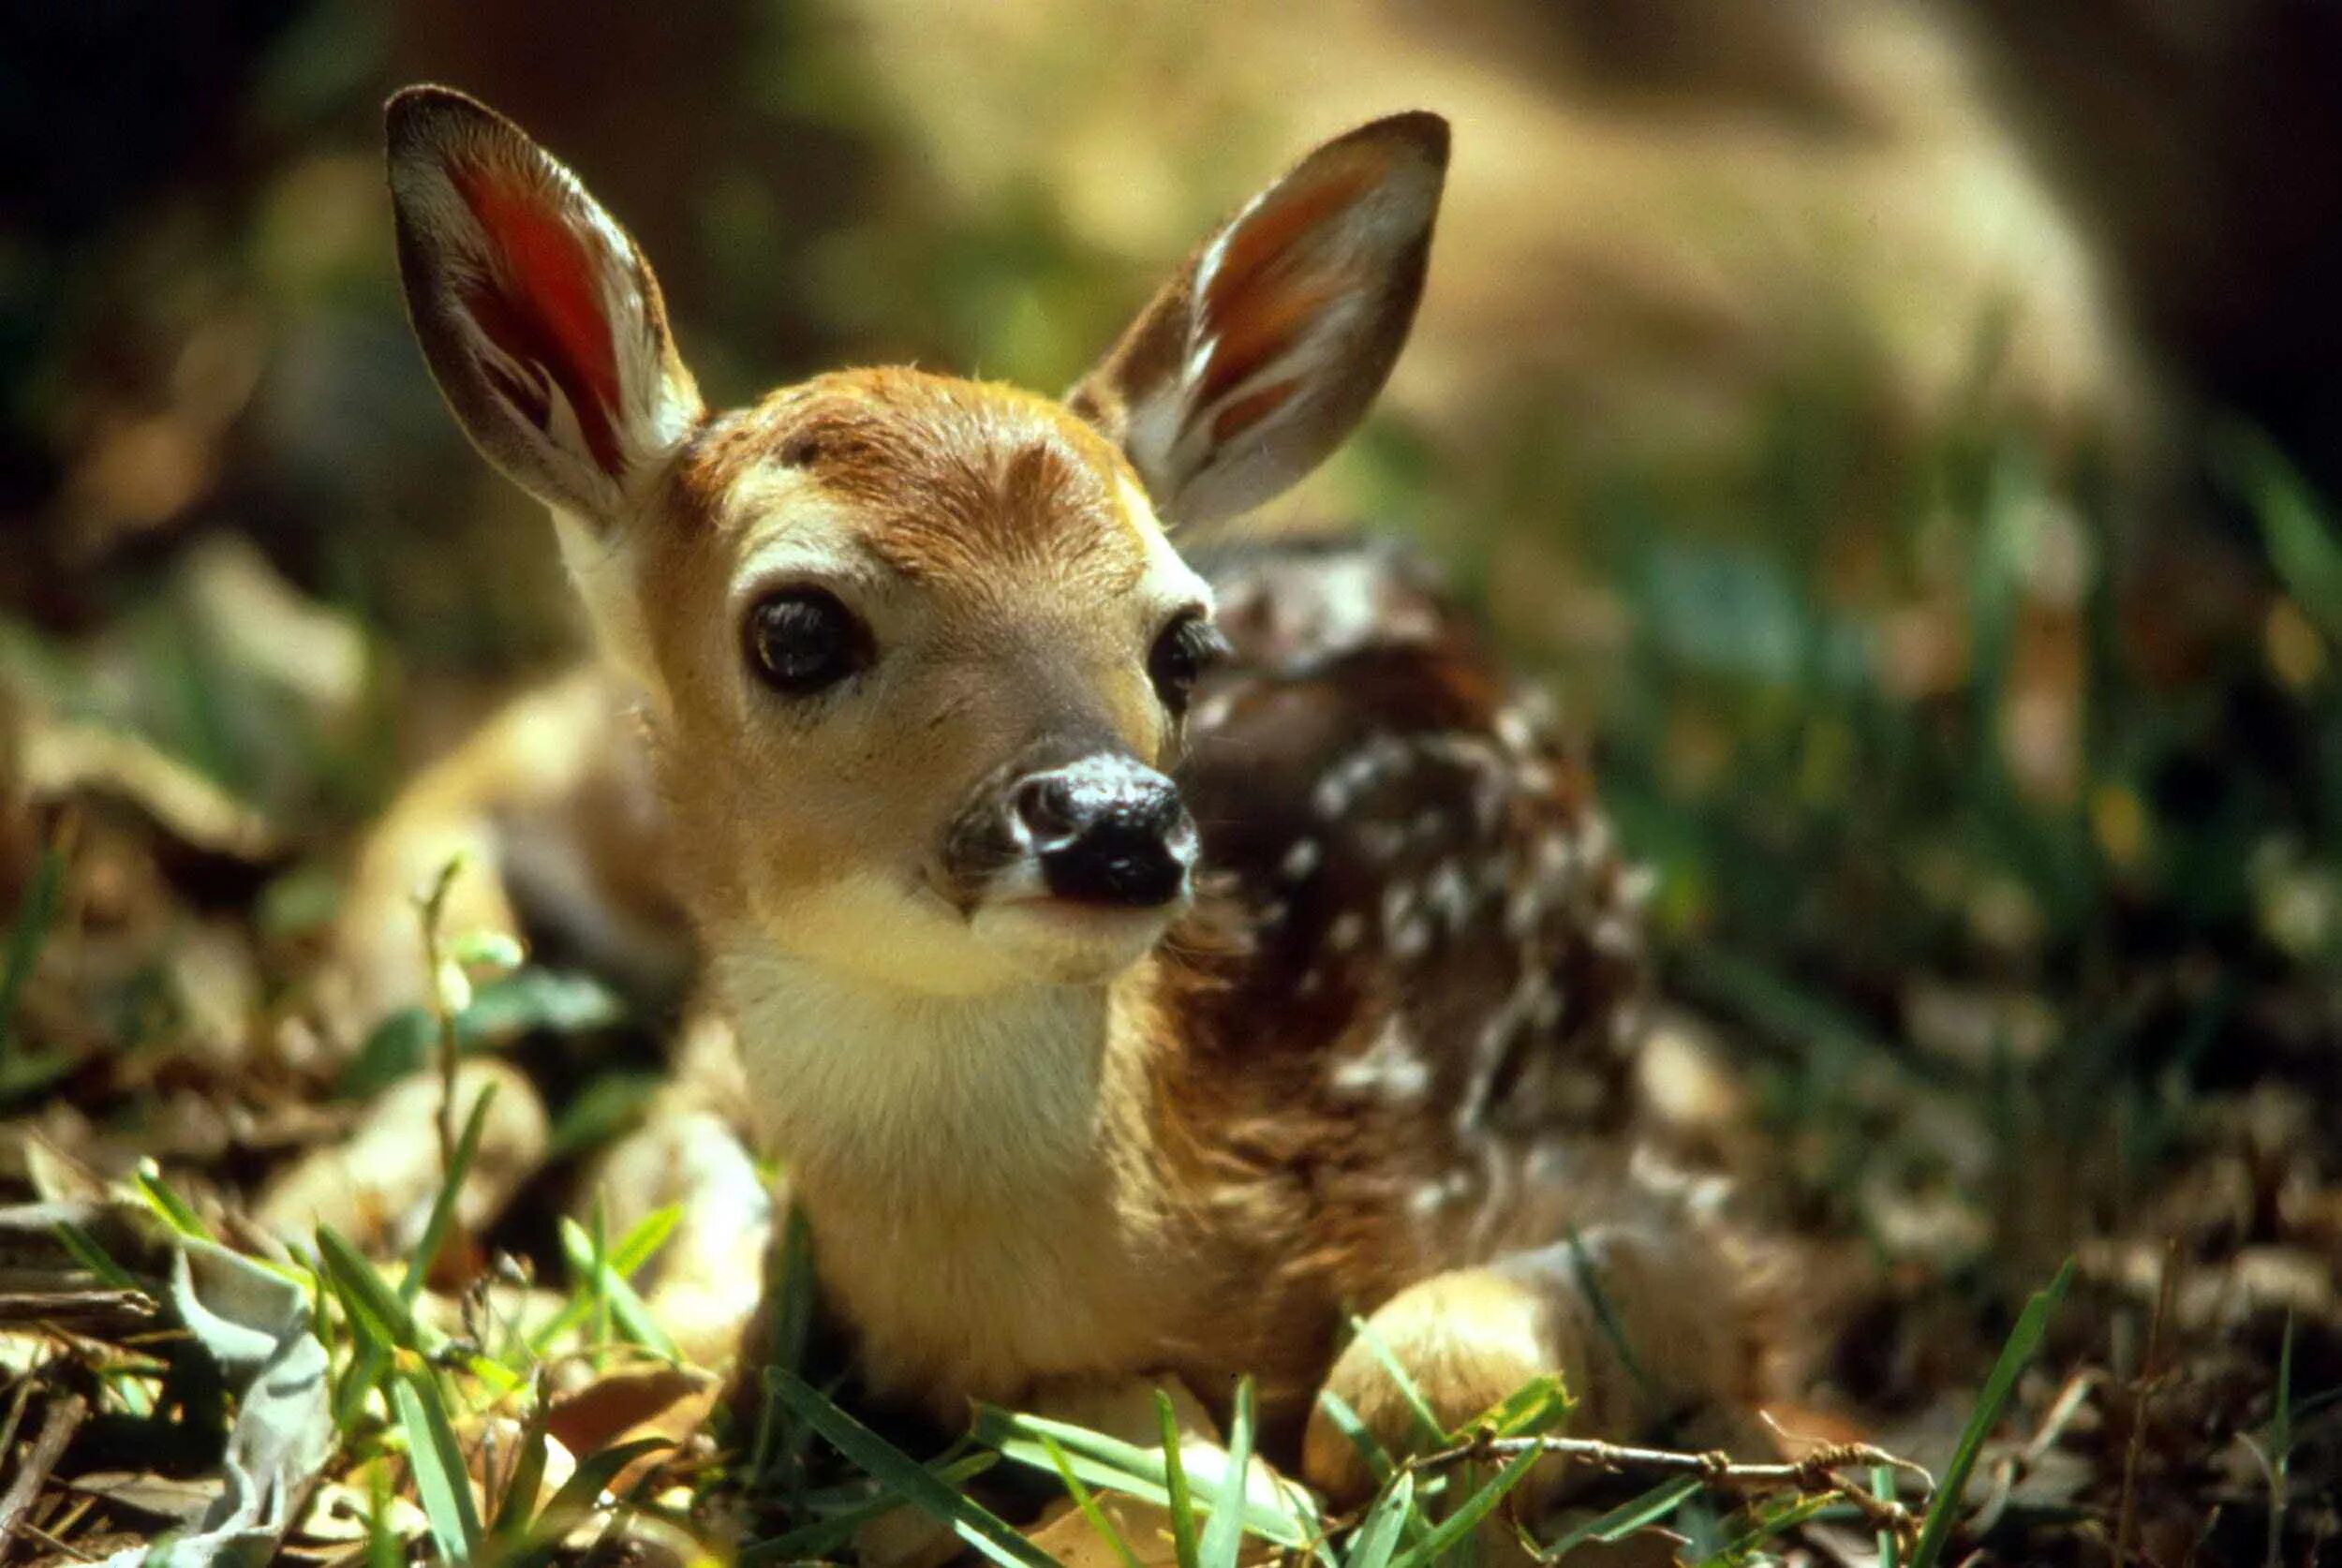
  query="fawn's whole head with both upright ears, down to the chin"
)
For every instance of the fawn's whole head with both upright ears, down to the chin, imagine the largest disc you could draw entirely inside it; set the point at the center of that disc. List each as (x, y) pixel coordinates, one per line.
(915, 652)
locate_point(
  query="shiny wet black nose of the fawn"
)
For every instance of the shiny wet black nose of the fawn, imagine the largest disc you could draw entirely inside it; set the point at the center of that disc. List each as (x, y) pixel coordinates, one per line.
(1107, 830)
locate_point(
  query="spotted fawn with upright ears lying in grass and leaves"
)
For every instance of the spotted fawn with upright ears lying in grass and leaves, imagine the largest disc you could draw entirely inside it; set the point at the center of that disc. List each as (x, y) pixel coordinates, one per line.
(1137, 965)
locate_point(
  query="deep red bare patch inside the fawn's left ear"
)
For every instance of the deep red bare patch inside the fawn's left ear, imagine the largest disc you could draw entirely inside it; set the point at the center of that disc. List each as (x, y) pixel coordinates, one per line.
(545, 305)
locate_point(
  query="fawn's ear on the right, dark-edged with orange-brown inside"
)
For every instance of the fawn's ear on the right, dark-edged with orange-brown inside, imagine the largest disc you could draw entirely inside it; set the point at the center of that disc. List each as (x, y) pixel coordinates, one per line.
(1275, 338)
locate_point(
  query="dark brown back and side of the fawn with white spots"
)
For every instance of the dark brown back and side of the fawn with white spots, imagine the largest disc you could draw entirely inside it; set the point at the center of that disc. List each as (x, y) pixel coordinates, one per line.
(1430, 1000)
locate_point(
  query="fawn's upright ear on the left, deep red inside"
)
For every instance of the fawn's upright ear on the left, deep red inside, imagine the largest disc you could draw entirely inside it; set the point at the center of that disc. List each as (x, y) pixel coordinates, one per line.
(537, 312)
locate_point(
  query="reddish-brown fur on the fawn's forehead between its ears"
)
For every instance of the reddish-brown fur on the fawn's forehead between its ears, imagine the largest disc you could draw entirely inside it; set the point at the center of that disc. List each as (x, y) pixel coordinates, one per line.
(945, 476)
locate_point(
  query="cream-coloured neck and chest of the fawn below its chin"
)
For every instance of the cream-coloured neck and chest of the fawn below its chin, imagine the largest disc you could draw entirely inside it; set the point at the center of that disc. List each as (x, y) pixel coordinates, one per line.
(961, 1162)
